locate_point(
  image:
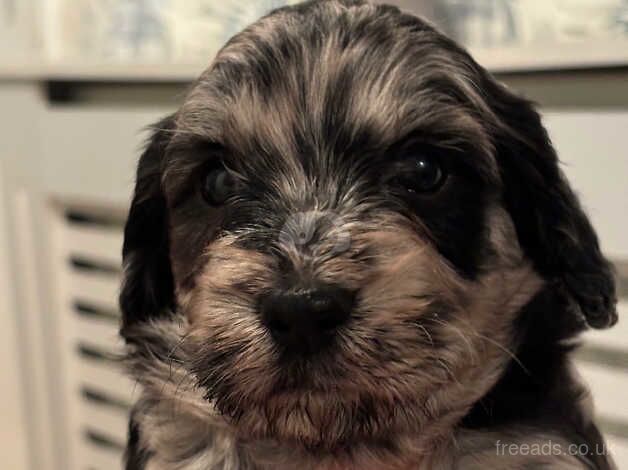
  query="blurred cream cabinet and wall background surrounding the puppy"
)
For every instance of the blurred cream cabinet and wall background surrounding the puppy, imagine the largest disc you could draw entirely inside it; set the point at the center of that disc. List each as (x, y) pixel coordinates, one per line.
(79, 81)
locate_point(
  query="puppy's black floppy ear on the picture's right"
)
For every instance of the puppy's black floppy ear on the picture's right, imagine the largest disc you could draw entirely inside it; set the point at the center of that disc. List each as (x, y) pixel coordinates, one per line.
(552, 228)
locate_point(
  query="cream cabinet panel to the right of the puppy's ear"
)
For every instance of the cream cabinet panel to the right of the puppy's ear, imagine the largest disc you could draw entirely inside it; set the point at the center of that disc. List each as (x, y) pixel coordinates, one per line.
(592, 144)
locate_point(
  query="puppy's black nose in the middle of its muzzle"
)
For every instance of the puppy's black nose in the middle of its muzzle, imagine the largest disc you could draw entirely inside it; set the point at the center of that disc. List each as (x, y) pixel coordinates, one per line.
(304, 320)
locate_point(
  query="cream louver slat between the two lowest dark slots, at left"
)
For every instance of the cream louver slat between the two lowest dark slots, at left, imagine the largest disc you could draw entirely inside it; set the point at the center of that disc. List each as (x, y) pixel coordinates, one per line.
(105, 419)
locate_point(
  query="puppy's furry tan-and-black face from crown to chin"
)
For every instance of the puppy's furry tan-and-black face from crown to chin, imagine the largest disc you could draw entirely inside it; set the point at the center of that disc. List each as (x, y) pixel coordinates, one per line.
(341, 235)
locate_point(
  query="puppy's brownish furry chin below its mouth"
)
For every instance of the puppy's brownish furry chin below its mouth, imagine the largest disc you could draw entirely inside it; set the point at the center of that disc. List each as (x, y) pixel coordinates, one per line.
(323, 420)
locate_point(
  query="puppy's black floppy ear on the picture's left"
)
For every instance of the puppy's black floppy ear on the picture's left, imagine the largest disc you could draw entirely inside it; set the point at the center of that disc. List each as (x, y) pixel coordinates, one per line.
(148, 288)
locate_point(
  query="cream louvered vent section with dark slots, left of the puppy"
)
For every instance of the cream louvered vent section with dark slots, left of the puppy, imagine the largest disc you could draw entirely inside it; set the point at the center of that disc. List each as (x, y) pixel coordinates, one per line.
(89, 254)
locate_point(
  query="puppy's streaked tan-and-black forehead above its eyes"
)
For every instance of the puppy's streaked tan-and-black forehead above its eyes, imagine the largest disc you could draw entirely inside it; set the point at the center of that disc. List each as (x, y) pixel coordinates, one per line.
(333, 76)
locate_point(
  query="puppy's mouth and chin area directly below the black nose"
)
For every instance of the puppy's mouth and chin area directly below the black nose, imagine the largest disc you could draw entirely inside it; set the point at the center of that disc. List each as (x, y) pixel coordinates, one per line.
(319, 400)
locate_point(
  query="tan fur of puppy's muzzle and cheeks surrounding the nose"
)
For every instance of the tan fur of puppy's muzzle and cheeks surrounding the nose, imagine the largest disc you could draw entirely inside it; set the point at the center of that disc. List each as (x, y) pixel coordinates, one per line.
(422, 340)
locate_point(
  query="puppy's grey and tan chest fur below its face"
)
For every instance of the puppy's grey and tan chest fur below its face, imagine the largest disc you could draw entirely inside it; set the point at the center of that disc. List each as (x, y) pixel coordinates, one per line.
(174, 427)
